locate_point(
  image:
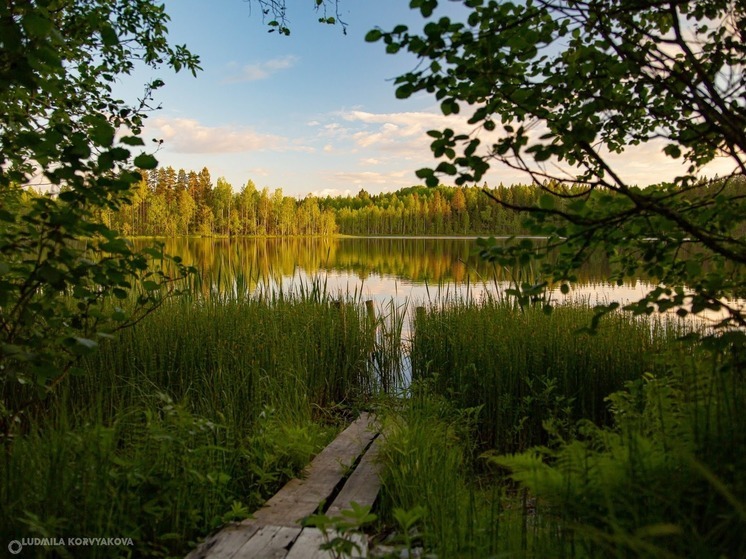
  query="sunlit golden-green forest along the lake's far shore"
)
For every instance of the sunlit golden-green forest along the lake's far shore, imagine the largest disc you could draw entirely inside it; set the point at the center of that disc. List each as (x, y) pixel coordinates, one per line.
(167, 202)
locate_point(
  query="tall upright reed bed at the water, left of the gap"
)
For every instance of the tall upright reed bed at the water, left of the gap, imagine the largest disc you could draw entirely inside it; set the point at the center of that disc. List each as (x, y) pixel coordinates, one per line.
(288, 352)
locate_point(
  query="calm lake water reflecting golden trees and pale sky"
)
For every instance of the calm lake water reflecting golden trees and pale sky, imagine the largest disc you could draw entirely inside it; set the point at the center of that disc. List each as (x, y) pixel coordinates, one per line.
(412, 270)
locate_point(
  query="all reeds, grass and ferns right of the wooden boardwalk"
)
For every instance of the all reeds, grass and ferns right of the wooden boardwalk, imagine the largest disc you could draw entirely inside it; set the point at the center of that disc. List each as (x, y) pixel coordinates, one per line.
(522, 438)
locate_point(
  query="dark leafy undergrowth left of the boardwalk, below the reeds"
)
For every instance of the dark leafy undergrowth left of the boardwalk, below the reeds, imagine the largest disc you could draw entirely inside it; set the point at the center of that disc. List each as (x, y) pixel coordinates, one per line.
(156, 473)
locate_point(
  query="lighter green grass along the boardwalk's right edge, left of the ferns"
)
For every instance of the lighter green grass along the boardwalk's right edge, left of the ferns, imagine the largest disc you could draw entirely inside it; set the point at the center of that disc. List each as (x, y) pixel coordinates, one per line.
(433, 496)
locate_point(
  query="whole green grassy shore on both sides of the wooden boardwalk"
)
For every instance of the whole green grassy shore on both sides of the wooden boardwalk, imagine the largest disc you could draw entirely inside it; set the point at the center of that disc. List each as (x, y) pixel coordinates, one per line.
(518, 437)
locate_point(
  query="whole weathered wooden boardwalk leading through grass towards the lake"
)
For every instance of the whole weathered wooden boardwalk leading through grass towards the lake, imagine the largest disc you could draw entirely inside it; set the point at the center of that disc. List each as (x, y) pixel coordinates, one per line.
(345, 471)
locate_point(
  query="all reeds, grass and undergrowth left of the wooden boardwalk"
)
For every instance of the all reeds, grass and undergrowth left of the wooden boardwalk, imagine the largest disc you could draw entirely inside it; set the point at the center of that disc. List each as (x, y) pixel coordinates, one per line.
(189, 419)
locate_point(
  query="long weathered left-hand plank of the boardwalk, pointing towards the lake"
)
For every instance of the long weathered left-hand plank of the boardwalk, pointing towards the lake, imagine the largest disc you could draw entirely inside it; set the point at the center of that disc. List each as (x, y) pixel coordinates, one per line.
(301, 497)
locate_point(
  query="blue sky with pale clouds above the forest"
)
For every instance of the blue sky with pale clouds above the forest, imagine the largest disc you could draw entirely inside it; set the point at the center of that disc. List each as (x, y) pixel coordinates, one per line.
(312, 113)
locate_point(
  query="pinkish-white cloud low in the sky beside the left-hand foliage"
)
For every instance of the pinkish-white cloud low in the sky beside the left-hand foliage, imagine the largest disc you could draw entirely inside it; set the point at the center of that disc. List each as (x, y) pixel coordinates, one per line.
(184, 135)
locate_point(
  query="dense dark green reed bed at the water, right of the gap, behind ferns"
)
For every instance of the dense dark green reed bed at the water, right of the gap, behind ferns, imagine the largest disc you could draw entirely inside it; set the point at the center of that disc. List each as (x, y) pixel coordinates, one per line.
(524, 367)
